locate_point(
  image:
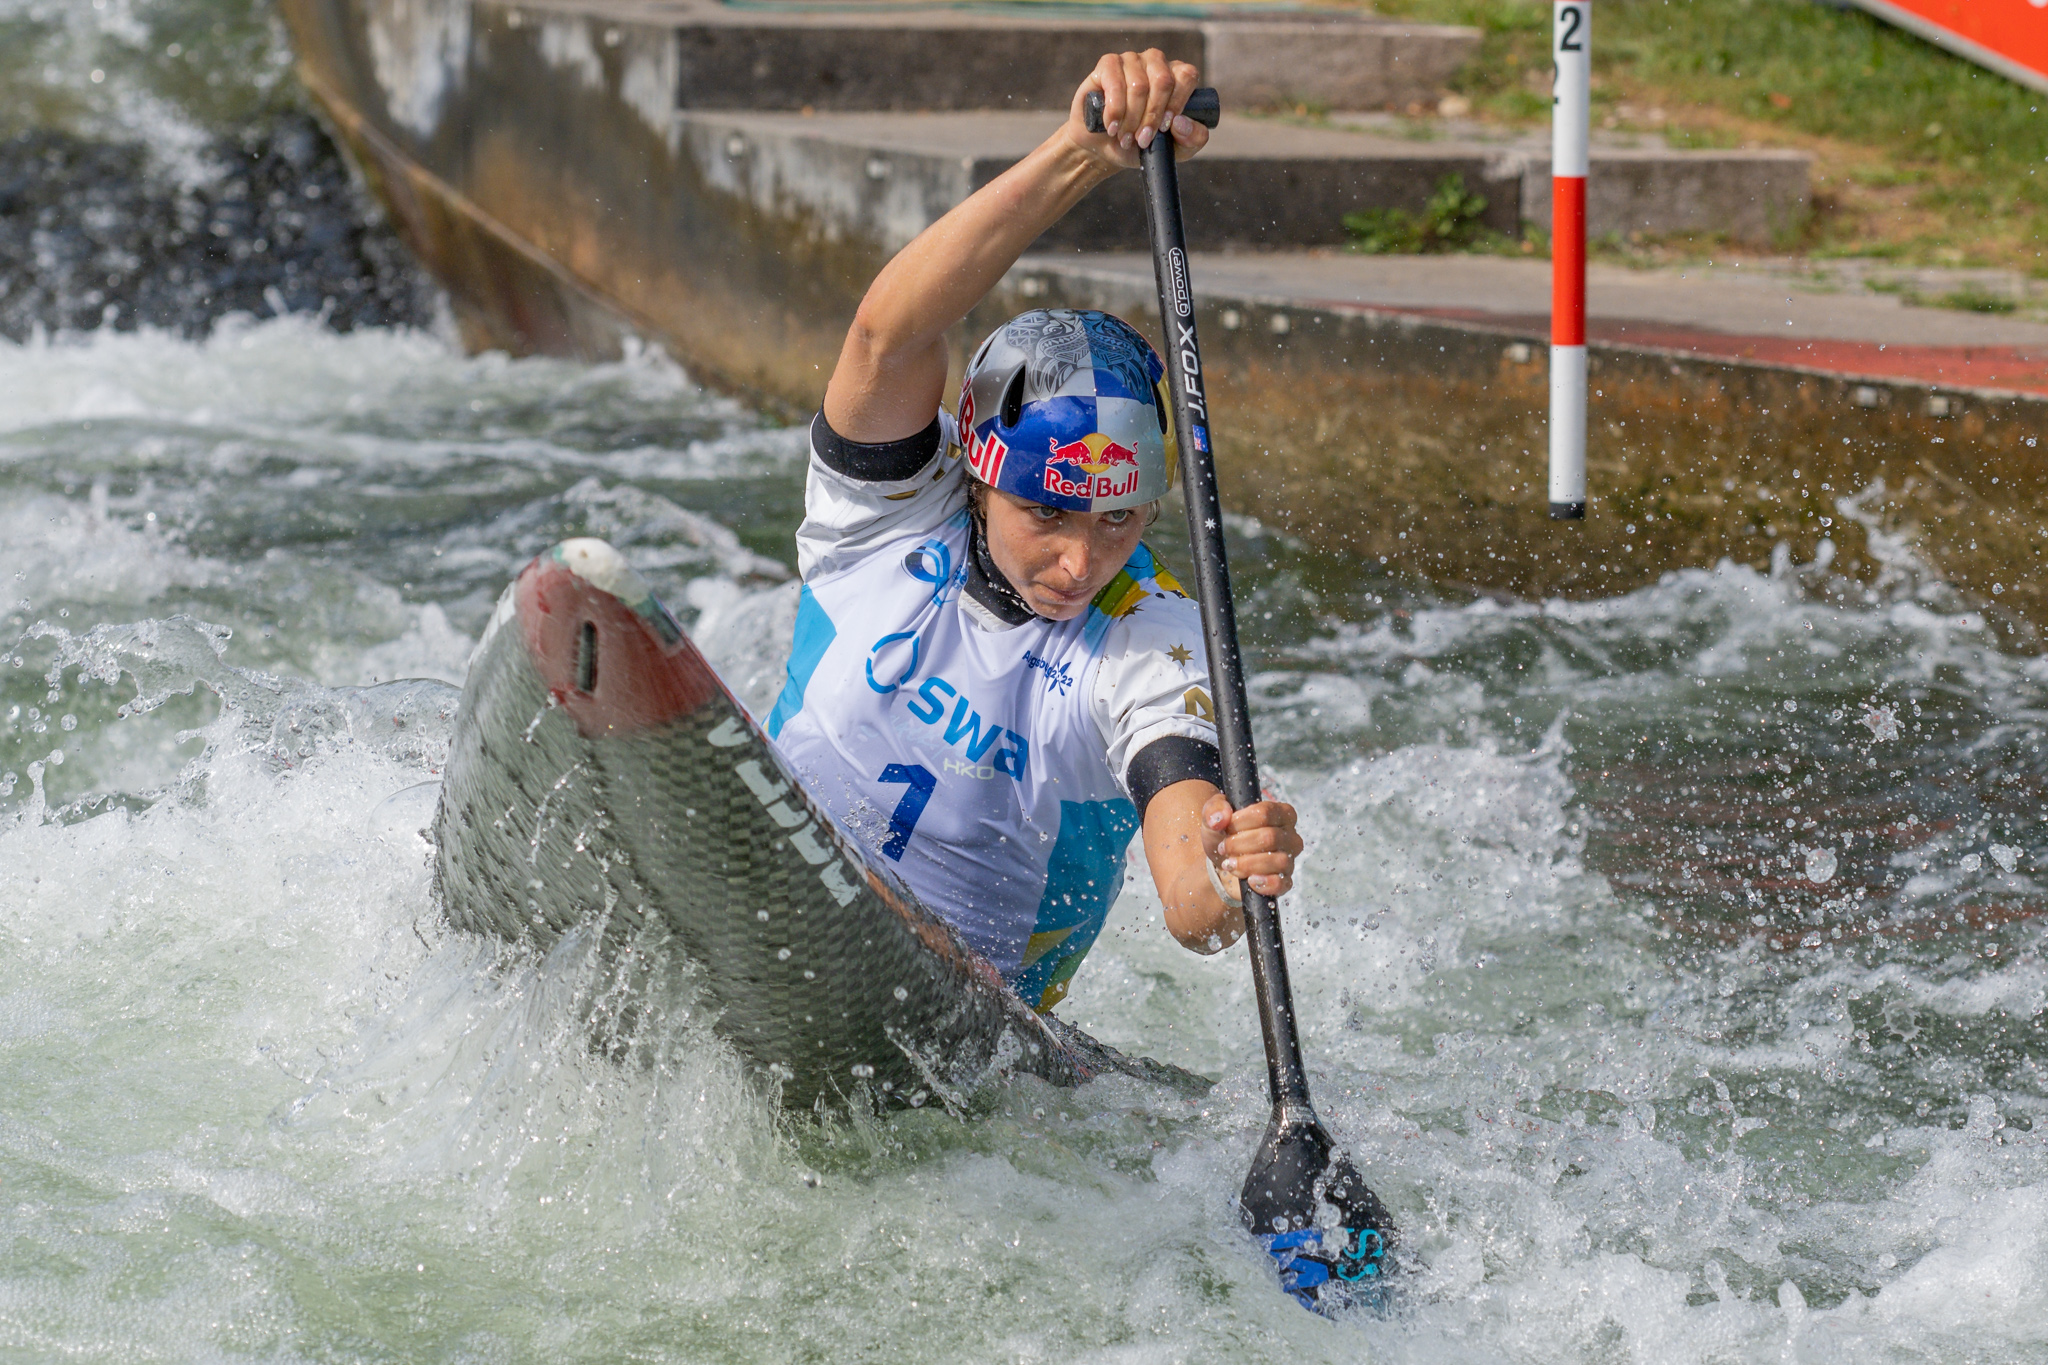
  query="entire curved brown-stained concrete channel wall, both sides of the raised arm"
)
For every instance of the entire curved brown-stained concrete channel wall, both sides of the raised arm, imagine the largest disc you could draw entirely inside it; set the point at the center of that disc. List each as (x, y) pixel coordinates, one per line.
(531, 171)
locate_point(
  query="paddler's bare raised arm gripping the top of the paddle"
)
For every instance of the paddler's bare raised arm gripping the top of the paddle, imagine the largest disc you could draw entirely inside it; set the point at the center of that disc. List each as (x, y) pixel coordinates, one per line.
(892, 371)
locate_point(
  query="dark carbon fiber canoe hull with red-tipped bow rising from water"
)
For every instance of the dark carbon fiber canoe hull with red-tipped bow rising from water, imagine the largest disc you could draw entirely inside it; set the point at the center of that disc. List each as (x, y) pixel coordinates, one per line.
(601, 768)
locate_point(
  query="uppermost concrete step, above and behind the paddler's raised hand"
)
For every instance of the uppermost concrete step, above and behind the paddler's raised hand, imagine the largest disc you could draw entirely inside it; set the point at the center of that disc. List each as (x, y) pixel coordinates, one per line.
(927, 58)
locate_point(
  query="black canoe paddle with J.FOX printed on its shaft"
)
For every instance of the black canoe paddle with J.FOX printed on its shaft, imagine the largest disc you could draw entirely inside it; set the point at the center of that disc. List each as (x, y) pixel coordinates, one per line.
(1297, 1165)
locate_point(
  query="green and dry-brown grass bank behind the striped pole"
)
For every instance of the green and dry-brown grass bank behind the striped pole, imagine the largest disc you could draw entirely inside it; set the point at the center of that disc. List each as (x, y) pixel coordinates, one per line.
(1920, 157)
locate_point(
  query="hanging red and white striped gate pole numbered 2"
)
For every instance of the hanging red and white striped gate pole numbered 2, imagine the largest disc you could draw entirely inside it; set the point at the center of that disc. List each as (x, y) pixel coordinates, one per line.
(1572, 32)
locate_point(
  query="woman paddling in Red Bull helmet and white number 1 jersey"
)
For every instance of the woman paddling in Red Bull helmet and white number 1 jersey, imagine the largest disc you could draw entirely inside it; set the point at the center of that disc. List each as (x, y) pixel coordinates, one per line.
(994, 680)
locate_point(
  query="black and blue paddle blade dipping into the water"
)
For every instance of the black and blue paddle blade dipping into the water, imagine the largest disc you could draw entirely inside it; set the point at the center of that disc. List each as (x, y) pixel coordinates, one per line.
(1295, 1172)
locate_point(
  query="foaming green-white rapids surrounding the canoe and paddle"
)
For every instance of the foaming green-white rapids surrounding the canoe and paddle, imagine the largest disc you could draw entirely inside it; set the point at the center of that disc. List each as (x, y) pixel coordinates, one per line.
(1637, 1086)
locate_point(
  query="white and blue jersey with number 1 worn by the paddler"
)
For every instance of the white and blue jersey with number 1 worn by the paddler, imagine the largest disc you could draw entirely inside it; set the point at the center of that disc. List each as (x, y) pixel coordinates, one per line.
(984, 760)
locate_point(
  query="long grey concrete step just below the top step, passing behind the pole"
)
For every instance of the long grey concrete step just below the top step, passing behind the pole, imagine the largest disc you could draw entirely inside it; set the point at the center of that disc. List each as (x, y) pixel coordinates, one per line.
(1261, 185)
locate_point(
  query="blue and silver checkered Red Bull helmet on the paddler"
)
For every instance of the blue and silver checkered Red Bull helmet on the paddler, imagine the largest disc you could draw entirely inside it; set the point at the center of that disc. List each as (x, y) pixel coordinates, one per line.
(1068, 408)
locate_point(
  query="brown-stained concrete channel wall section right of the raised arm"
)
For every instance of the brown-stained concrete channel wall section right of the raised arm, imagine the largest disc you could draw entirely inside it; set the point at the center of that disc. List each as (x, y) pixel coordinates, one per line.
(1422, 445)
